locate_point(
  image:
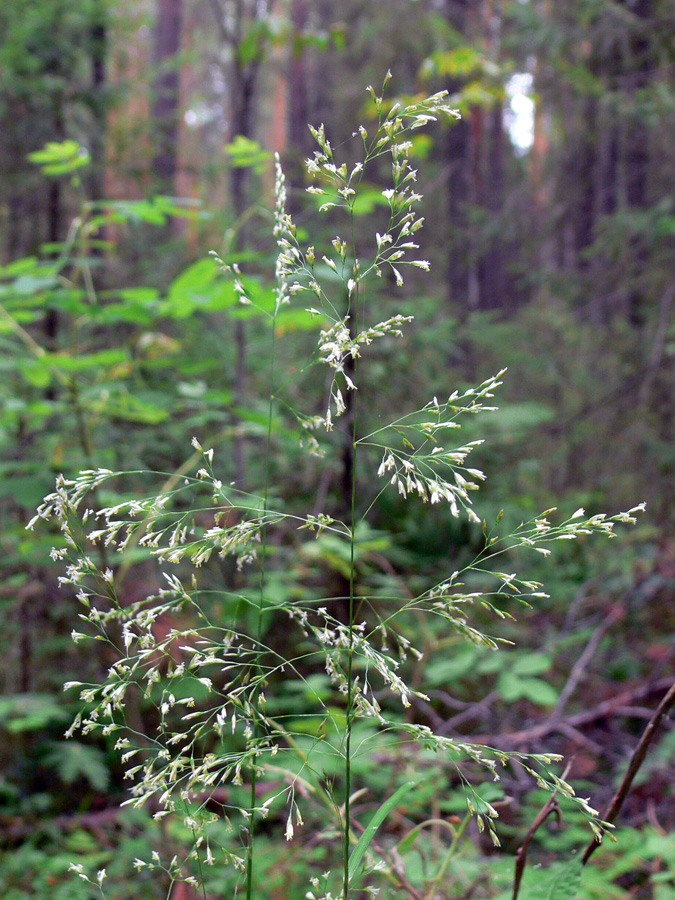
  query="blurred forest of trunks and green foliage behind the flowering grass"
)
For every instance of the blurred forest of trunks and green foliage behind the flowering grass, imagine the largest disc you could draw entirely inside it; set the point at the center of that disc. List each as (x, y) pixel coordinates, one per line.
(137, 136)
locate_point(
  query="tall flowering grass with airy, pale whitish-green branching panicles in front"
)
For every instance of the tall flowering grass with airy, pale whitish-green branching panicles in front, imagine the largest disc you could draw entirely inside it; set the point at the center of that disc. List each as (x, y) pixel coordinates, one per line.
(215, 683)
